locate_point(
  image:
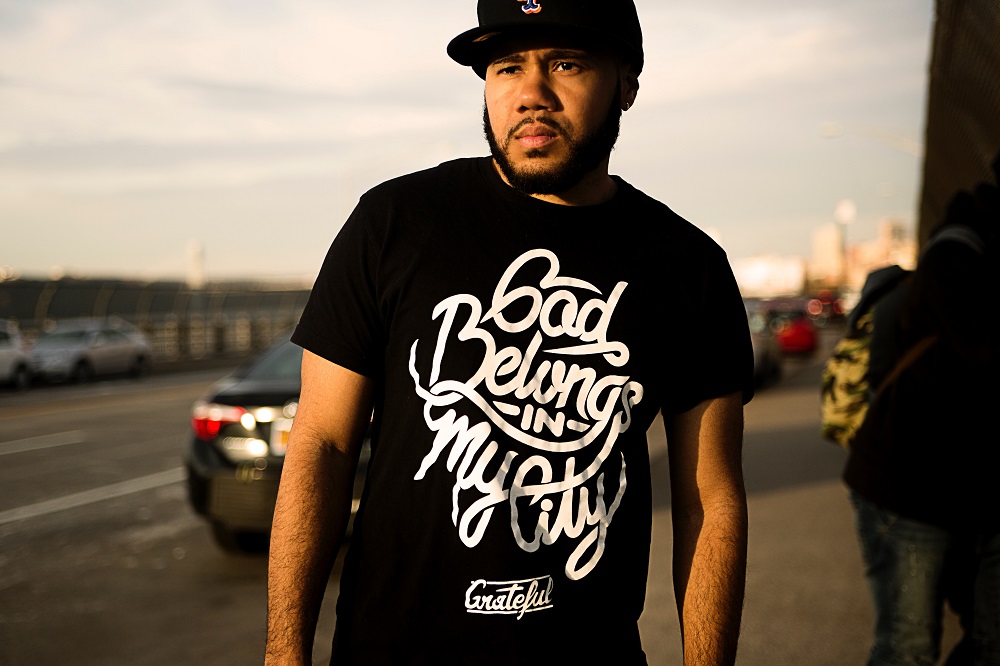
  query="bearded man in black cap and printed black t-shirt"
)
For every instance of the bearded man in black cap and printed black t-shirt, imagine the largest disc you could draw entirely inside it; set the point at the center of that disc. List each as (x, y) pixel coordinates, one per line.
(515, 323)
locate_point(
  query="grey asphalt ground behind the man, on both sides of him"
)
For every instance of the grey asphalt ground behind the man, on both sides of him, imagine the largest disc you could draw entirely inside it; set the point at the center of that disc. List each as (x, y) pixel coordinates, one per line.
(103, 562)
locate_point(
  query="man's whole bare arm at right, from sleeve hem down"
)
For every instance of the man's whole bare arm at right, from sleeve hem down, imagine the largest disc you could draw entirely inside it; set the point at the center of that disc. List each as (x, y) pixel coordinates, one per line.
(709, 508)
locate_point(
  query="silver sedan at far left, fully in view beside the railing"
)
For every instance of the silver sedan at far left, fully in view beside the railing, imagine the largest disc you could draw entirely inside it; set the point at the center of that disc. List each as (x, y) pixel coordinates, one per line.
(80, 353)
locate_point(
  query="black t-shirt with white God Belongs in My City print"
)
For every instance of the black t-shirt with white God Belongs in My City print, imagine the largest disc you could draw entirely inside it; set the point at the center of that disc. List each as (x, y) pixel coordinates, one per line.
(521, 350)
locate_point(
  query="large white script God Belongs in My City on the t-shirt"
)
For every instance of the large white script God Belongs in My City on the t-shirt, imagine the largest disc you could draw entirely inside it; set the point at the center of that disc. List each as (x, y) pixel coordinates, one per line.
(559, 396)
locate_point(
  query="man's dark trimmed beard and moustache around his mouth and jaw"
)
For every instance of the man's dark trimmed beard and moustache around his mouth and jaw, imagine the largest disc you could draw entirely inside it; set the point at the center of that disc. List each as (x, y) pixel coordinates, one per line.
(584, 153)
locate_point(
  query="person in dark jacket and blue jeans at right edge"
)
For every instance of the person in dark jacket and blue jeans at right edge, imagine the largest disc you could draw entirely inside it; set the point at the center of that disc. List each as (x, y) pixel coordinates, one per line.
(923, 471)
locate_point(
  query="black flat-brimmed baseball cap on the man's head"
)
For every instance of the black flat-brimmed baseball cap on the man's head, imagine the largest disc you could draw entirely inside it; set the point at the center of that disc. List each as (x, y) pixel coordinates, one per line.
(614, 23)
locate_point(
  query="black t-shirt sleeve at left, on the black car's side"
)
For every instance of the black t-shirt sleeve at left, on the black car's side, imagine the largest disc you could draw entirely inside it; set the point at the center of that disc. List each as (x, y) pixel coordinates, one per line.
(341, 321)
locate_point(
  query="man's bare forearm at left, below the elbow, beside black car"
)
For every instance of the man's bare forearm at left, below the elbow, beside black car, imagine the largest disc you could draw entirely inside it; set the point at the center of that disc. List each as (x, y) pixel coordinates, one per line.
(310, 518)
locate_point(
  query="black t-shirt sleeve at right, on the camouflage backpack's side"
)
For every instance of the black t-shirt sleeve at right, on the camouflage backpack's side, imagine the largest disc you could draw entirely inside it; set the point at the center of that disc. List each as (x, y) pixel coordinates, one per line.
(716, 357)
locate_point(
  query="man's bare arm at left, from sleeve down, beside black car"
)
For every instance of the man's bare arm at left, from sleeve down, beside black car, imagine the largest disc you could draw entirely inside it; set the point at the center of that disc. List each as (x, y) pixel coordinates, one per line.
(314, 503)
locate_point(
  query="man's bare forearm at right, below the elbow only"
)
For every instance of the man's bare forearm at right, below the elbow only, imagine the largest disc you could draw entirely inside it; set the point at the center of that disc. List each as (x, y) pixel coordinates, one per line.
(710, 555)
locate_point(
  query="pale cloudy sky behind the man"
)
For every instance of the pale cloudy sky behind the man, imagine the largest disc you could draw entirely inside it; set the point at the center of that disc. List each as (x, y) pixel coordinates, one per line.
(133, 132)
